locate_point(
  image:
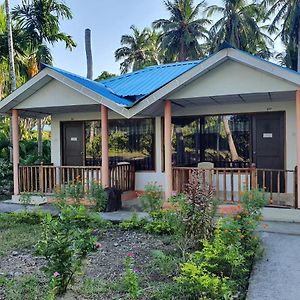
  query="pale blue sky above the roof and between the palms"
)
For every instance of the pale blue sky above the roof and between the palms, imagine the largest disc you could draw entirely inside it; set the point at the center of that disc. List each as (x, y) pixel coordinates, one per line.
(108, 20)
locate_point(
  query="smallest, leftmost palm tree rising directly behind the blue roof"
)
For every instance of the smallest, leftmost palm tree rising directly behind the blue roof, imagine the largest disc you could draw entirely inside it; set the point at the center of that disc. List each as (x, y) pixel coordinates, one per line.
(135, 51)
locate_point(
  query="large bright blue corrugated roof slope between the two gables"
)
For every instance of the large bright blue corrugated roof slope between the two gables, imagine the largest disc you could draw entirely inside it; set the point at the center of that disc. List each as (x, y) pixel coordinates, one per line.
(144, 82)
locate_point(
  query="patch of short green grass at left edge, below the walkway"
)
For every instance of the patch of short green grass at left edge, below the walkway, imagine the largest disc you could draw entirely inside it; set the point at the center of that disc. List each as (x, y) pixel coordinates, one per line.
(17, 236)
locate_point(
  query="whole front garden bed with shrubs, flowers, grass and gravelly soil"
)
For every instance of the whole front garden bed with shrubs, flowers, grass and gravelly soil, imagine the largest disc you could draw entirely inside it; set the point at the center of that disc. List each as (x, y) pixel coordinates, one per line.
(180, 253)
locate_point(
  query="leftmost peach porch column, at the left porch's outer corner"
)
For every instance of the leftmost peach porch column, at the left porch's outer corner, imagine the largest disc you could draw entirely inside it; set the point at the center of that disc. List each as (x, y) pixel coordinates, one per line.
(16, 151)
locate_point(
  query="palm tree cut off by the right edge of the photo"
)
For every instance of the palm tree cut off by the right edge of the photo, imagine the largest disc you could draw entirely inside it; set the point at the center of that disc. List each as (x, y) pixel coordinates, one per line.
(286, 15)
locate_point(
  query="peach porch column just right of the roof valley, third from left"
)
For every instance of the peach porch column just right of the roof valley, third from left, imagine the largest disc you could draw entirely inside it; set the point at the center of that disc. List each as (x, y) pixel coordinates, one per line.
(168, 149)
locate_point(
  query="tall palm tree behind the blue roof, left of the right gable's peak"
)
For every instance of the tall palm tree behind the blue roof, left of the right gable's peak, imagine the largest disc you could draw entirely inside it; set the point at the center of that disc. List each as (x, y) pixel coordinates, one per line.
(182, 31)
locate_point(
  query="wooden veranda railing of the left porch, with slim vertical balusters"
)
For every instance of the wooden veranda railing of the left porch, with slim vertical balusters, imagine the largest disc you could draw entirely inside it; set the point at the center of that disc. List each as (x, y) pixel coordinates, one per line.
(45, 179)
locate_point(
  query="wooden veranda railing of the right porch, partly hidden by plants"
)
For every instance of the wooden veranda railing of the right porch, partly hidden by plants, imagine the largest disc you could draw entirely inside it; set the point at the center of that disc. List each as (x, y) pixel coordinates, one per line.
(230, 183)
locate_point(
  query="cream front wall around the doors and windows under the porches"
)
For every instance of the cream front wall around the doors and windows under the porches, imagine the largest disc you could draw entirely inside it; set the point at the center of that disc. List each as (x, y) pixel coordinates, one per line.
(142, 178)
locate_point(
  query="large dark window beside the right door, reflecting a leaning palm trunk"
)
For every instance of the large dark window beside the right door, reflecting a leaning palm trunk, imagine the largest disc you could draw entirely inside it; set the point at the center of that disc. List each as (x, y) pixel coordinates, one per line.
(223, 140)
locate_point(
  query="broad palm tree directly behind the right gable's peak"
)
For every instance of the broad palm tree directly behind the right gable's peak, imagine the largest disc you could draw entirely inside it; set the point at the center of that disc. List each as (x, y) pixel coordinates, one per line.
(239, 25)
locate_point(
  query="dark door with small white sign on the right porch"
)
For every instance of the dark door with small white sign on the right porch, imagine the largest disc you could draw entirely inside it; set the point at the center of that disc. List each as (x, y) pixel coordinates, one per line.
(268, 149)
